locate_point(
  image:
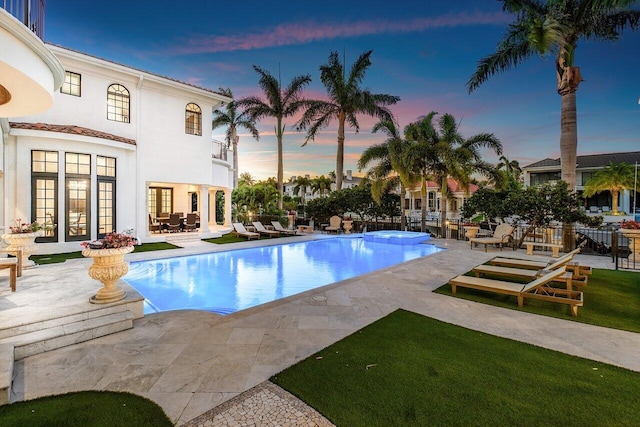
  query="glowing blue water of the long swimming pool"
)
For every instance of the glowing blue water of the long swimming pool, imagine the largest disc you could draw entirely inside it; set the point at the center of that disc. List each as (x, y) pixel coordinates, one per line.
(225, 282)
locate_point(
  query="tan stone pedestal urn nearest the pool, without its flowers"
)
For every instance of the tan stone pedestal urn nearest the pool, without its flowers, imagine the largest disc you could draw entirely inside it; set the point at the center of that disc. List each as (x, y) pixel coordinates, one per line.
(108, 267)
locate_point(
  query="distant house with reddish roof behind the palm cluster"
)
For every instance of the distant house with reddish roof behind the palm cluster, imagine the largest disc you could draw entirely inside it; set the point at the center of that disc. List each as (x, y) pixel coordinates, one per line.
(457, 197)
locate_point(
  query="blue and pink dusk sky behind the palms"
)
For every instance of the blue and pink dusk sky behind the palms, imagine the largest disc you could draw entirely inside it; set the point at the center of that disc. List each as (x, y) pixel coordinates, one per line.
(424, 52)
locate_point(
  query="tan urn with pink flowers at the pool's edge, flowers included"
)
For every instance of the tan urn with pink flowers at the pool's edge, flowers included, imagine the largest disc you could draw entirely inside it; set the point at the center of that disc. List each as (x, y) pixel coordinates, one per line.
(109, 264)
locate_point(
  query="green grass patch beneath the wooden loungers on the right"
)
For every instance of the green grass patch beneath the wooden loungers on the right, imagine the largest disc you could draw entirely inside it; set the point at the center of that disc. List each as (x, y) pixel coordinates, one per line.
(611, 299)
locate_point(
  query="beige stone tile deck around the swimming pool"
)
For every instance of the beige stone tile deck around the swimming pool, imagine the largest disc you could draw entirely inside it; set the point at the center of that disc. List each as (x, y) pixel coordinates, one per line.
(190, 362)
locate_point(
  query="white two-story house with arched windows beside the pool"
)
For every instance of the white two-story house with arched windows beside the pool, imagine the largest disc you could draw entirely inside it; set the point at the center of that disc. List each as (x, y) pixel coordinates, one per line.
(119, 145)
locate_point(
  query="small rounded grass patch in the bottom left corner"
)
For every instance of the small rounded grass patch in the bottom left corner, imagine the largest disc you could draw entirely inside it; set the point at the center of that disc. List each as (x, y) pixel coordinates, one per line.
(87, 409)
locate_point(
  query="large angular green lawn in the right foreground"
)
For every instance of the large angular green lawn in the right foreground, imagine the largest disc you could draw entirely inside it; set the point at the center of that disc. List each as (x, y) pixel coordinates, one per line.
(410, 370)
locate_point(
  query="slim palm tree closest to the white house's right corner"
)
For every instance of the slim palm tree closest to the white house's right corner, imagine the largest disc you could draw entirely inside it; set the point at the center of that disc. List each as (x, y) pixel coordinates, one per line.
(234, 120)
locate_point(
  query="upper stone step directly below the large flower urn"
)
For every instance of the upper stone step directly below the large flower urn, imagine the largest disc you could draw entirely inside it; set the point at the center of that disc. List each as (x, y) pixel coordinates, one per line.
(13, 324)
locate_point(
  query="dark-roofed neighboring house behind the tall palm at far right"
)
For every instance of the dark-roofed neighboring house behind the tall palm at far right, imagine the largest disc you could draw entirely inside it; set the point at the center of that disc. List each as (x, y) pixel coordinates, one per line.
(548, 170)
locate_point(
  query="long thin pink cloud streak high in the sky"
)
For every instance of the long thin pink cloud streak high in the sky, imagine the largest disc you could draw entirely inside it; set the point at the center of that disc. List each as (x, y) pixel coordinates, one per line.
(301, 33)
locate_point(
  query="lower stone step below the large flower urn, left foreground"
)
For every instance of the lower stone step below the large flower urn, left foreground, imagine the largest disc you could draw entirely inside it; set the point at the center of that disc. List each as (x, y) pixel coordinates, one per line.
(39, 341)
